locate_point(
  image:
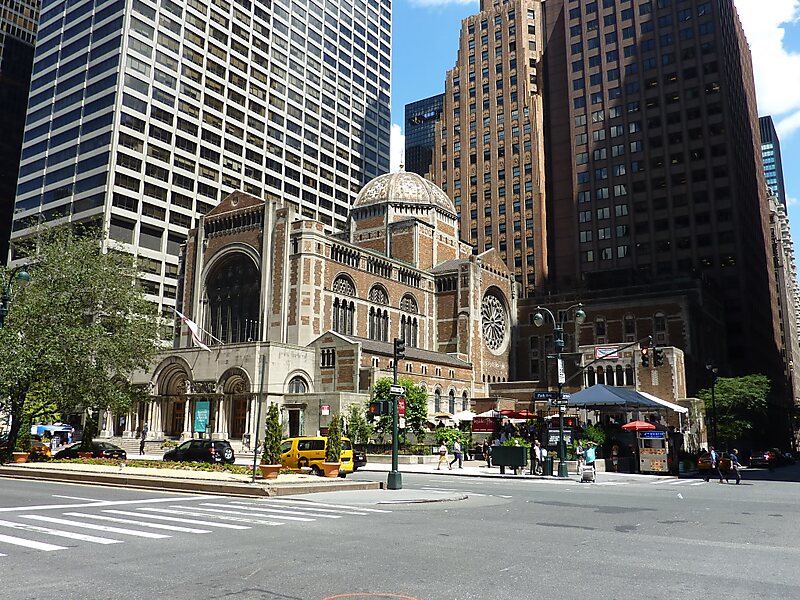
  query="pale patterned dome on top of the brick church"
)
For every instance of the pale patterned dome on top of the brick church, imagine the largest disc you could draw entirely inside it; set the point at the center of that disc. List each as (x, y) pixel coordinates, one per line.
(404, 188)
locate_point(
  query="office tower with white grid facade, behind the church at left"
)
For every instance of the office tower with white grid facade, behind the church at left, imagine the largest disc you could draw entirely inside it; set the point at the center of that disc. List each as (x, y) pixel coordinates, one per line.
(142, 114)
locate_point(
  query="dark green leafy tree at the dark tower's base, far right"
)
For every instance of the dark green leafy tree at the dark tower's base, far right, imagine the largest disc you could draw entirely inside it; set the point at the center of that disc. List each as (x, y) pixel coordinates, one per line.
(741, 407)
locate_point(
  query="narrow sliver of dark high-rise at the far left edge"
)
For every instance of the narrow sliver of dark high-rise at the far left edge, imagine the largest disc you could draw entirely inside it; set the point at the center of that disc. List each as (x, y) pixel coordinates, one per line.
(18, 20)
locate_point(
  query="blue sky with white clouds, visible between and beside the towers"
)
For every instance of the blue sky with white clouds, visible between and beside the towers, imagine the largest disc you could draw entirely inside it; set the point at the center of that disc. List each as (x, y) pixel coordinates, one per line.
(426, 39)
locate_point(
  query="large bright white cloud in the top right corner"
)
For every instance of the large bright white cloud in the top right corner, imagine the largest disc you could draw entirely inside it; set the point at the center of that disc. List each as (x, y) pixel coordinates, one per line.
(776, 70)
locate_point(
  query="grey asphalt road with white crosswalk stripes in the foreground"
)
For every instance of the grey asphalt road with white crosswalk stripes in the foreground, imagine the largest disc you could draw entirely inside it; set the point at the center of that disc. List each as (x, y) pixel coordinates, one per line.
(620, 538)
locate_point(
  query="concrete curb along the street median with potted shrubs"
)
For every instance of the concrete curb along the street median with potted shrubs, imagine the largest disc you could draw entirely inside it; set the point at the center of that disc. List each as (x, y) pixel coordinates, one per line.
(184, 485)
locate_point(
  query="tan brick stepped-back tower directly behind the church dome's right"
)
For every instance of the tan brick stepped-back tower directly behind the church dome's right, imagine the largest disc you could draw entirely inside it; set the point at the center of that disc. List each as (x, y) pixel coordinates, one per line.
(489, 151)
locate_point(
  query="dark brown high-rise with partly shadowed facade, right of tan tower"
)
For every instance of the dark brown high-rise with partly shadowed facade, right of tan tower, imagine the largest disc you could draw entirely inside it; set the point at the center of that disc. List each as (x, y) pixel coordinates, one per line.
(654, 160)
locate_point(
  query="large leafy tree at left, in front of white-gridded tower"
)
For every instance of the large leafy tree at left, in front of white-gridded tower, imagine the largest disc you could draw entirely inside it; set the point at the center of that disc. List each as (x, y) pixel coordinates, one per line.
(75, 331)
